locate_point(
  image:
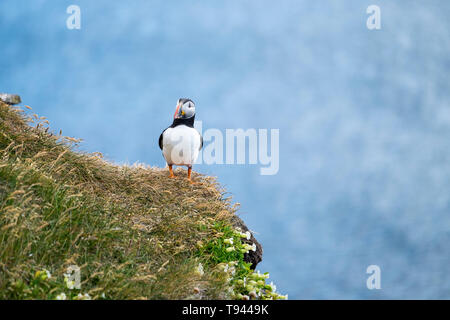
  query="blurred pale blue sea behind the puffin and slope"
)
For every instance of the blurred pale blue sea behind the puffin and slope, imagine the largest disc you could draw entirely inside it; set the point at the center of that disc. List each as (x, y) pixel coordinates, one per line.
(364, 119)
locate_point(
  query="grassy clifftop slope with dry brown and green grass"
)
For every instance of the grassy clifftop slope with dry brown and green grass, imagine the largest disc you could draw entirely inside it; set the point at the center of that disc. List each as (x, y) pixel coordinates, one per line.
(133, 232)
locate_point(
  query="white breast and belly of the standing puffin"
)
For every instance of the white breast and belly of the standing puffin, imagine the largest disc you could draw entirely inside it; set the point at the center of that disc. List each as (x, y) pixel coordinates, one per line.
(181, 145)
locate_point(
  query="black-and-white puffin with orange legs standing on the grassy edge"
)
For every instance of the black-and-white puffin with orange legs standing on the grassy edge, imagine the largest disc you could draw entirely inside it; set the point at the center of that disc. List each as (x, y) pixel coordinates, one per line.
(181, 142)
